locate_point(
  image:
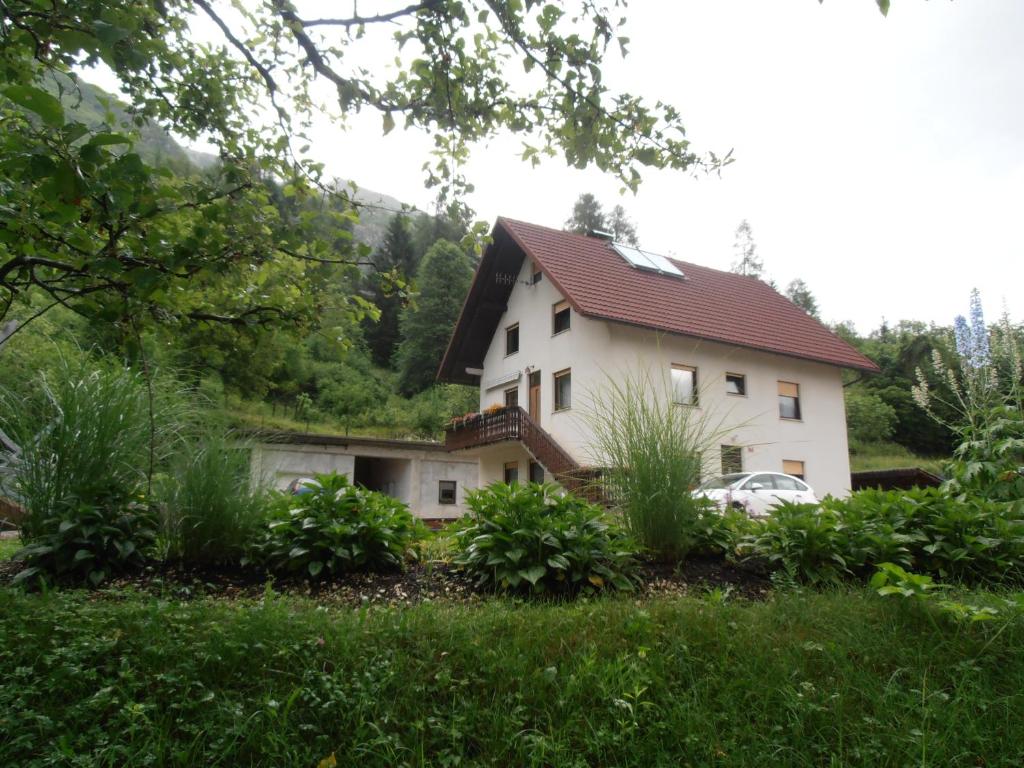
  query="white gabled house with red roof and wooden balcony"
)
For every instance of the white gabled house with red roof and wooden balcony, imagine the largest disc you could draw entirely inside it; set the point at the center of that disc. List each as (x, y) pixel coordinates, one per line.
(552, 316)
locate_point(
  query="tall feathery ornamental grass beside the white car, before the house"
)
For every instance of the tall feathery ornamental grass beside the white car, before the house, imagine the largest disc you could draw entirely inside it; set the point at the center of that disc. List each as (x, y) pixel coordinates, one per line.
(653, 452)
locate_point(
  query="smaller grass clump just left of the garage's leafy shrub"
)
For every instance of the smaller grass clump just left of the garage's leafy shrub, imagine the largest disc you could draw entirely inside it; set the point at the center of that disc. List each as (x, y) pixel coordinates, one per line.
(212, 507)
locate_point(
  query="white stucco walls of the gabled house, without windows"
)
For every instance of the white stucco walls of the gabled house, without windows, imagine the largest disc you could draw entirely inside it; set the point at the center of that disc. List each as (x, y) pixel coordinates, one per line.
(596, 351)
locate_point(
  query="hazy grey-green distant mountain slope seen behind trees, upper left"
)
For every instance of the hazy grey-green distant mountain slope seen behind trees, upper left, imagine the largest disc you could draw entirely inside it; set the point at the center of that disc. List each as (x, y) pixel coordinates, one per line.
(93, 106)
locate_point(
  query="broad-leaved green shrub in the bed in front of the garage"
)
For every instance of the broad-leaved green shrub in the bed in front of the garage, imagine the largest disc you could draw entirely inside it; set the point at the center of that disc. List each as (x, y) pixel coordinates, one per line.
(336, 528)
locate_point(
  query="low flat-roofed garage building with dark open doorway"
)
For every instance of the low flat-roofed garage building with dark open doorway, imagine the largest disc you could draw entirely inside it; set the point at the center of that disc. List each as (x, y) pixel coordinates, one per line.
(408, 471)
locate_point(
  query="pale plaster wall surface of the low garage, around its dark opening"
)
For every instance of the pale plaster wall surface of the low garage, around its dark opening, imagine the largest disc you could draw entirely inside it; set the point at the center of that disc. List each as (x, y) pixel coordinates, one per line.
(413, 475)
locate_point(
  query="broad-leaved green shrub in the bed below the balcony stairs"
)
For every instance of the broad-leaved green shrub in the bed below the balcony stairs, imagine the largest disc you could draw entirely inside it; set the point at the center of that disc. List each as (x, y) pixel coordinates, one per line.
(535, 538)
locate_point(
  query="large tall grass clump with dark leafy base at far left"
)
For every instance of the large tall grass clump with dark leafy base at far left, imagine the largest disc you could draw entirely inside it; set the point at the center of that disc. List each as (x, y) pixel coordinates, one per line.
(88, 441)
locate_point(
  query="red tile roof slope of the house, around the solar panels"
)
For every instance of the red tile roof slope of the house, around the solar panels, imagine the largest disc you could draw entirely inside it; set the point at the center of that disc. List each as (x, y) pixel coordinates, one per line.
(707, 305)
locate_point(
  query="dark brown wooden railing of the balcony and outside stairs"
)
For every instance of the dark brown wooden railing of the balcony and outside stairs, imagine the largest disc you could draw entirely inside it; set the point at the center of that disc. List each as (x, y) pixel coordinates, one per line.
(515, 424)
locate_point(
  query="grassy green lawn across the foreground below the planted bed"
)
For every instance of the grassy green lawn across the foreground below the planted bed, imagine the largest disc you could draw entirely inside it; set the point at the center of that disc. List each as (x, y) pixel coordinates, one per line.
(806, 679)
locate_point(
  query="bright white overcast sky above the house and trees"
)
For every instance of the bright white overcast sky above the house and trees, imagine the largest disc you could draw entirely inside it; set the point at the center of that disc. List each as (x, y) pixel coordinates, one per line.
(882, 160)
